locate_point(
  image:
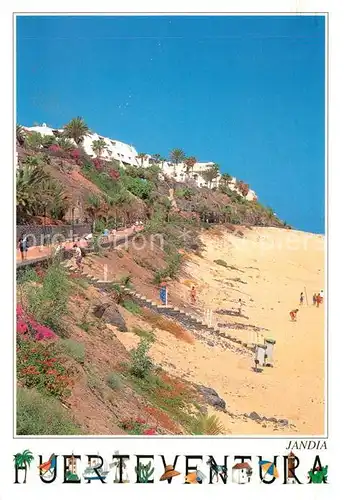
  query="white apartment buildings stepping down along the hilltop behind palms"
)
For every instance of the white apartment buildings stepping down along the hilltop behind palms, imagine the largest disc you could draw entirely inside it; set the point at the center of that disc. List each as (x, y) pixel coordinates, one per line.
(127, 155)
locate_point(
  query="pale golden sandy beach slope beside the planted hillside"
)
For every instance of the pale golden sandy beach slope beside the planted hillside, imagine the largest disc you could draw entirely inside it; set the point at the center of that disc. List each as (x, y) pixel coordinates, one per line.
(270, 268)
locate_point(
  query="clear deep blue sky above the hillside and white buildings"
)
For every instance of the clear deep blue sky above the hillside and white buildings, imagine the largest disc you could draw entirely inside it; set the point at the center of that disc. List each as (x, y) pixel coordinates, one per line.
(245, 92)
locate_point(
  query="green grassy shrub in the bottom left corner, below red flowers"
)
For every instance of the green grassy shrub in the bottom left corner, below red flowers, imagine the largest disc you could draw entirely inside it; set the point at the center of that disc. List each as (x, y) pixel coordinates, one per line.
(40, 415)
